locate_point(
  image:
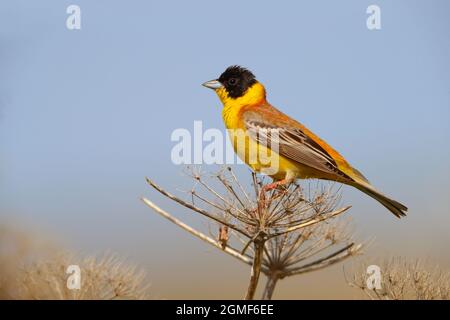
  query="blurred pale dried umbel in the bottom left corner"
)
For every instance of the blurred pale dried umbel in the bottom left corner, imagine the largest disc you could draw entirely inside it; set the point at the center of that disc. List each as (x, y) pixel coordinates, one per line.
(104, 278)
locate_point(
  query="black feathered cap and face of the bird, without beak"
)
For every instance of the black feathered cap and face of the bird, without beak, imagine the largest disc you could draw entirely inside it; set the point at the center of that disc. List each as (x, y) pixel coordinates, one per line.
(236, 81)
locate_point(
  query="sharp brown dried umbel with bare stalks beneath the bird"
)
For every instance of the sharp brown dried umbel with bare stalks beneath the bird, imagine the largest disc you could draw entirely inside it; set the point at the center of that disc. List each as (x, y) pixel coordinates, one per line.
(284, 232)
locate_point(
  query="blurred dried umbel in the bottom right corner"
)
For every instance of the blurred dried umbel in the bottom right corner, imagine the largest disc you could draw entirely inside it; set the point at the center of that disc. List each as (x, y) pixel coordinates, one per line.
(401, 279)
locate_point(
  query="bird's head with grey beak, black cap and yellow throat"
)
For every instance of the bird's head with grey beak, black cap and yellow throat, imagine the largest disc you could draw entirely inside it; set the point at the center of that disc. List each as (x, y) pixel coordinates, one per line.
(237, 85)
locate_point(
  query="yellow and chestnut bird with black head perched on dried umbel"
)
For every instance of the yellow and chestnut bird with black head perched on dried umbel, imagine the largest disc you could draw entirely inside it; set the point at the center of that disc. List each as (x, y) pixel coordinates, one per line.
(301, 154)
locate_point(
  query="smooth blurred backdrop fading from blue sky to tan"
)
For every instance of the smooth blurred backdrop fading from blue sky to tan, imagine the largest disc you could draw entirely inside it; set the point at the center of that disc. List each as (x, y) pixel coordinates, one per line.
(86, 114)
